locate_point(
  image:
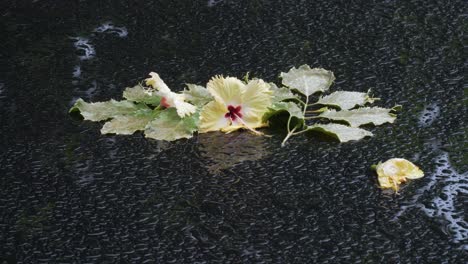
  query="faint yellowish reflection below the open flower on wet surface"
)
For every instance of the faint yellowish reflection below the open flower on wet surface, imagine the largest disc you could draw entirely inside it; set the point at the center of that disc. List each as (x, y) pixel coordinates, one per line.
(221, 151)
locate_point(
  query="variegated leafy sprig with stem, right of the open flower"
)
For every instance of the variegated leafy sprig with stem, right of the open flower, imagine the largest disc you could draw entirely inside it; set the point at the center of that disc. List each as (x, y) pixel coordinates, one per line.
(344, 111)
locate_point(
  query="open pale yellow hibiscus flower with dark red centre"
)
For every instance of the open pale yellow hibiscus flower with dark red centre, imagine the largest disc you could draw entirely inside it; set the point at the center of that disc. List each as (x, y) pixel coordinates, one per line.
(236, 105)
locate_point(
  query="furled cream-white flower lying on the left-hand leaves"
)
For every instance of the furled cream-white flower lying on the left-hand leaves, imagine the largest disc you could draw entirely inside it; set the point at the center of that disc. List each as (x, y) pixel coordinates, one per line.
(169, 98)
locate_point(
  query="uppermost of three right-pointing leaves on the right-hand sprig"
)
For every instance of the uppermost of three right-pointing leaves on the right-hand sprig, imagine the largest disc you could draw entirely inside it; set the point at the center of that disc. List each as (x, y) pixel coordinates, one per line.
(346, 100)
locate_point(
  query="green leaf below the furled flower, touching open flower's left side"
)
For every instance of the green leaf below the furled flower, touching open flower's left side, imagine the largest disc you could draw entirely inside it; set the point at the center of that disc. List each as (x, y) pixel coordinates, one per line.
(168, 125)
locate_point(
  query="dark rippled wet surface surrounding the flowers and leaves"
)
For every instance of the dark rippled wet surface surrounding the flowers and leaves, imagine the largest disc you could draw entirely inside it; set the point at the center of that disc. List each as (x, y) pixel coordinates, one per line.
(69, 194)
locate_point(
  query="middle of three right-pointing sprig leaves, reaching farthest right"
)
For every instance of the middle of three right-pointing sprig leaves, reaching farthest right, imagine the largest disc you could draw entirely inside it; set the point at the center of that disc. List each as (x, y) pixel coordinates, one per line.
(361, 116)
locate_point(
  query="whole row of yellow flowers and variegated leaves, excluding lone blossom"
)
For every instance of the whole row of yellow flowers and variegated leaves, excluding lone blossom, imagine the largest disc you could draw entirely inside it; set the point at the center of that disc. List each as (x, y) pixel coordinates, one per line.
(228, 104)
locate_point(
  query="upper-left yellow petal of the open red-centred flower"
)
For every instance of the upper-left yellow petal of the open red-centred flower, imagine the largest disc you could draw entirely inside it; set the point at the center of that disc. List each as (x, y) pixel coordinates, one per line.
(226, 90)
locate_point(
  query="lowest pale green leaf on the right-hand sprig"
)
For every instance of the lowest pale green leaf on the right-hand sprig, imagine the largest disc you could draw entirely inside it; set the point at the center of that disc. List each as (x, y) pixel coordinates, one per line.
(341, 132)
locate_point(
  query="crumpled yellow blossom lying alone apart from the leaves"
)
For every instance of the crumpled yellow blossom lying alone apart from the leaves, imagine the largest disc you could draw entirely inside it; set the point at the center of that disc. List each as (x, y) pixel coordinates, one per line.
(393, 172)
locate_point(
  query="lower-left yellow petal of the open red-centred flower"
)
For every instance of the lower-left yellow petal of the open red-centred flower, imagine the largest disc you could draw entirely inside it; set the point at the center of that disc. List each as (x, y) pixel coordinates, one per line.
(212, 117)
